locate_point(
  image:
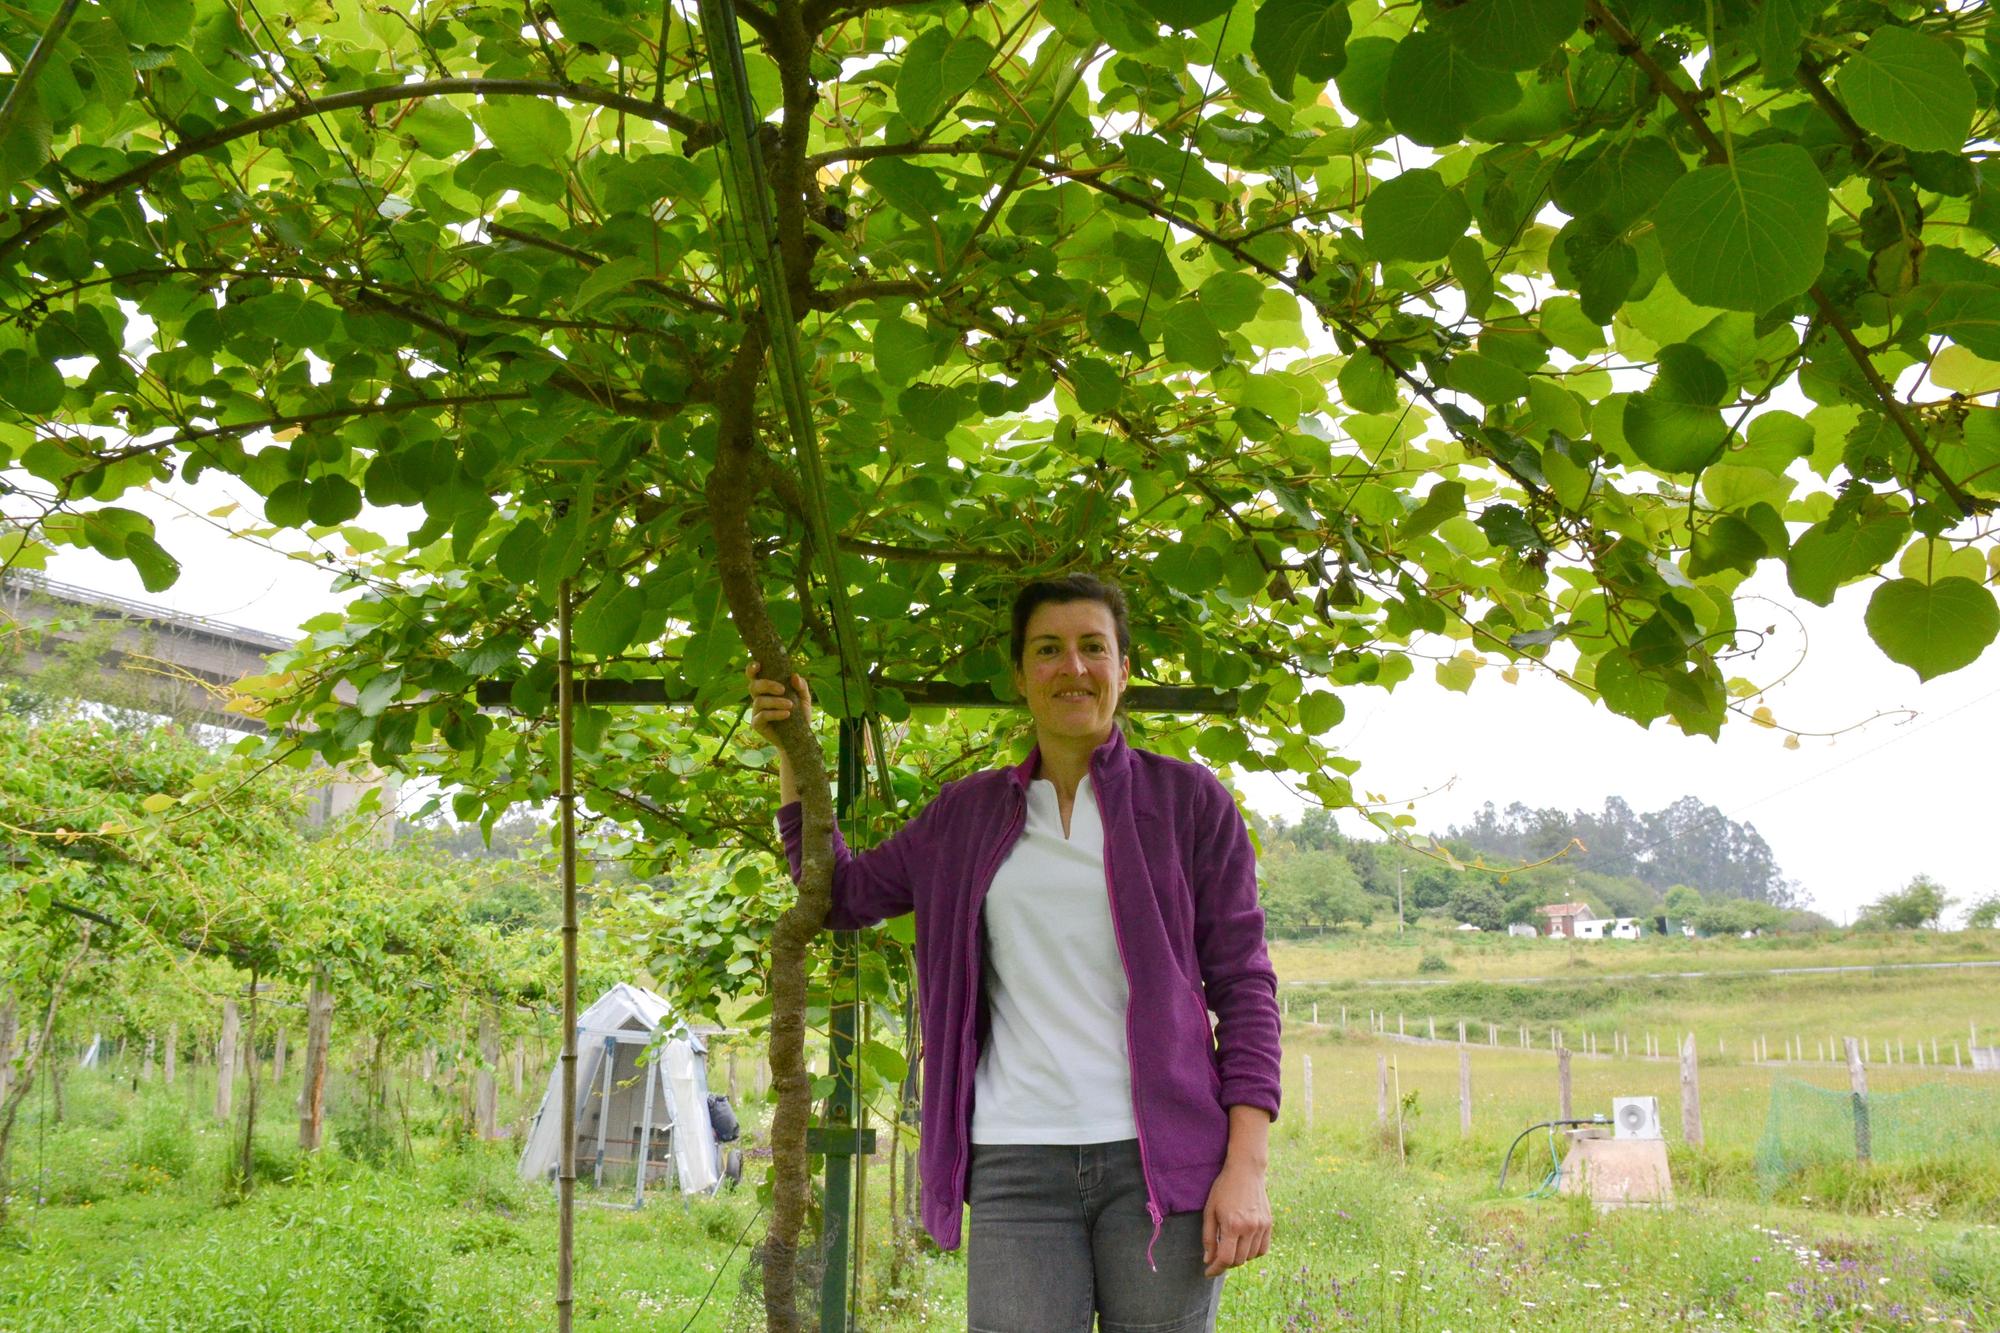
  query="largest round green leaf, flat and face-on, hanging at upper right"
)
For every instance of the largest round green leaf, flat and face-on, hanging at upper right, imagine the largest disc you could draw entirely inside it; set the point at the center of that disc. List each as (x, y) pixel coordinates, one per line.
(1747, 235)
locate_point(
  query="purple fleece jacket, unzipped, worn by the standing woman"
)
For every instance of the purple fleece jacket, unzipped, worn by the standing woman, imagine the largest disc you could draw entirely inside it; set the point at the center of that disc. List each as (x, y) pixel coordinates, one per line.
(1183, 892)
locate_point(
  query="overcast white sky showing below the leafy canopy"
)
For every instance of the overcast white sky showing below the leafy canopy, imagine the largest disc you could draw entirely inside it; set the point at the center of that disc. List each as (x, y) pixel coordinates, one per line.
(1849, 818)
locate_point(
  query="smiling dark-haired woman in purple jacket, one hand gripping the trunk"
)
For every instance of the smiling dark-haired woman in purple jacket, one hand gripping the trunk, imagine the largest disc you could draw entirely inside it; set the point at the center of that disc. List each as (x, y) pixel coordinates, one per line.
(1077, 920)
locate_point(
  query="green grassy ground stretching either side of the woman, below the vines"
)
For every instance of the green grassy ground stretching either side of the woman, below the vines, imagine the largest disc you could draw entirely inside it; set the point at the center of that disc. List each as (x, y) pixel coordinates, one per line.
(137, 1232)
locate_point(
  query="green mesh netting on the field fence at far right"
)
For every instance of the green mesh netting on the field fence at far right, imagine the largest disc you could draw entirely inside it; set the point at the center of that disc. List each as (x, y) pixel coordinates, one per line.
(1811, 1126)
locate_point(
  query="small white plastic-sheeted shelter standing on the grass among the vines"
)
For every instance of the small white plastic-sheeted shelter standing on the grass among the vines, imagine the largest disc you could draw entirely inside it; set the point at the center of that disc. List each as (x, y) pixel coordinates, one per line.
(627, 1114)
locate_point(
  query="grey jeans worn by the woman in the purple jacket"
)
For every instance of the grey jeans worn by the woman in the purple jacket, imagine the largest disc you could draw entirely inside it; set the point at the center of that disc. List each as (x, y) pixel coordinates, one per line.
(1059, 1240)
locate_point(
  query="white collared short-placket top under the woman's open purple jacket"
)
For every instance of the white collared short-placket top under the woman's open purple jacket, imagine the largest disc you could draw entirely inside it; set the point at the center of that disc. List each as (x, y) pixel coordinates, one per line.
(1055, 1068)
